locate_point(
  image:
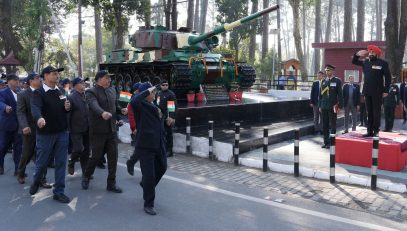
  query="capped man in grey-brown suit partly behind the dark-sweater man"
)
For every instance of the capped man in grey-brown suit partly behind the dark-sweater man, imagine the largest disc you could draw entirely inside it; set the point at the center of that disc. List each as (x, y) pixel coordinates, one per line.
(27, 127)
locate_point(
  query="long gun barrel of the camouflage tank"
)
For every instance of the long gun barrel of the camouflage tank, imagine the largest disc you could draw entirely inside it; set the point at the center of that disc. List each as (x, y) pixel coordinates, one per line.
(230, 26)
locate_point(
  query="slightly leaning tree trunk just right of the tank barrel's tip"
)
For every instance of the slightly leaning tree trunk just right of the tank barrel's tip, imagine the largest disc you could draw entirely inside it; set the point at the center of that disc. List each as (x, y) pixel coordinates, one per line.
(295, 5)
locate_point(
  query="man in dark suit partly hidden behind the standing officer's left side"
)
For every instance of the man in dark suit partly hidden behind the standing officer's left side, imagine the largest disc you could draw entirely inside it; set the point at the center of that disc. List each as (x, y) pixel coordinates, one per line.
(314, 98)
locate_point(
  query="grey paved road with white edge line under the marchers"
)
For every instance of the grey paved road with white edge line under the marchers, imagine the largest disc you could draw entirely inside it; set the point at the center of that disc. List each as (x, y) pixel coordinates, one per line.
(185, 201)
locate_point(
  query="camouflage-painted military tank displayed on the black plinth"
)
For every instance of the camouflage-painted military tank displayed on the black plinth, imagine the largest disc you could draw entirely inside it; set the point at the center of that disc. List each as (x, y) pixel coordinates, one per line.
(182, 57)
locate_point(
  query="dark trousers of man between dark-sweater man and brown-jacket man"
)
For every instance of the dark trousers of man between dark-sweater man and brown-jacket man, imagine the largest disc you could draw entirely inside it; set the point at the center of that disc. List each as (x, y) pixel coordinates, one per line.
(80, 149)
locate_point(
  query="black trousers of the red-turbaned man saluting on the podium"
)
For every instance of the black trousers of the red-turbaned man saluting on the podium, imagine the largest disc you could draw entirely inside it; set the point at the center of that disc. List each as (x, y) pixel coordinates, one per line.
(373, 107)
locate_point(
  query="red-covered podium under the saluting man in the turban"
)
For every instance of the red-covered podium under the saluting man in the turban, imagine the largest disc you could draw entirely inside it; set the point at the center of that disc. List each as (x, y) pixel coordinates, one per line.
(354, 149)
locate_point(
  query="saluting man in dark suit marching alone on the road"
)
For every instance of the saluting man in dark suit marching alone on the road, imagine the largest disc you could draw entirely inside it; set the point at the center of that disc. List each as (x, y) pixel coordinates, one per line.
(150, 143)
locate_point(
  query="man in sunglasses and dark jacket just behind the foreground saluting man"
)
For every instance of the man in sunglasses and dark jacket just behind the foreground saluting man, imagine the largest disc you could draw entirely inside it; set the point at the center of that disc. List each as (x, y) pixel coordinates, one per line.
(167, 102)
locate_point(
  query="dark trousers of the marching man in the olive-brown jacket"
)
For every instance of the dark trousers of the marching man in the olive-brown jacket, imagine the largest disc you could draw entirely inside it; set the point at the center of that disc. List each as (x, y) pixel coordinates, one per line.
(101, 144)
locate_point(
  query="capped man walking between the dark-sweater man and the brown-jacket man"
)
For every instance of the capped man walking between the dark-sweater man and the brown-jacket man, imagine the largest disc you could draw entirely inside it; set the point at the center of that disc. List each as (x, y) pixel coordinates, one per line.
(78, 123)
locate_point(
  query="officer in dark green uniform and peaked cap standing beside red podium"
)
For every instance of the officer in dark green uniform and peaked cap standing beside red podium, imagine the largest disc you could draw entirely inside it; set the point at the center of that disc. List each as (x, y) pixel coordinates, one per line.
(330, 101)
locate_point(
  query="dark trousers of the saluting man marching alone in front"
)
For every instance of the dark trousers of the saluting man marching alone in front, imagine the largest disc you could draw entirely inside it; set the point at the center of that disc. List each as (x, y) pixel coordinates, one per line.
(153, 166)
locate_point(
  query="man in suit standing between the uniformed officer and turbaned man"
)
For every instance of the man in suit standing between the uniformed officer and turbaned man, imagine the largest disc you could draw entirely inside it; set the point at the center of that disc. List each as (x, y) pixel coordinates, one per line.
(351, 96)
